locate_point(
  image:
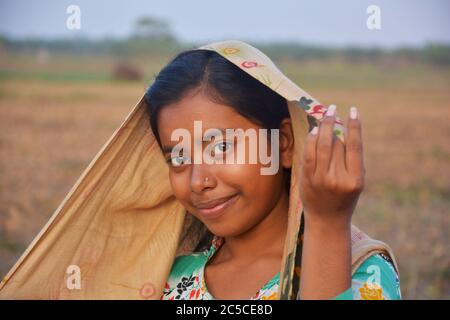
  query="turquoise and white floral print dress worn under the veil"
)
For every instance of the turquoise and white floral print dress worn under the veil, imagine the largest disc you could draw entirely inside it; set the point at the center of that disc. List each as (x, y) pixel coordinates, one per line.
(375, 279)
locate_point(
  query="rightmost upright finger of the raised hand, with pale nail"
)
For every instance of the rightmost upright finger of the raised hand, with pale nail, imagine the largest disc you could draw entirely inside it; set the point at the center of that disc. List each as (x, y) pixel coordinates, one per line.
(353, 146)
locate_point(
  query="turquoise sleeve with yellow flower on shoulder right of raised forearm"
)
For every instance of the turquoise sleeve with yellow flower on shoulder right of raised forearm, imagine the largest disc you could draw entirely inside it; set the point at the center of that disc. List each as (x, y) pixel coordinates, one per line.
(375, 279)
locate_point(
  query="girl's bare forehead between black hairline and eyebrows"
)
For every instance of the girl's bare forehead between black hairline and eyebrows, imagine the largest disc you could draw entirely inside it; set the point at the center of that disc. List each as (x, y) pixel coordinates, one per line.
(199, 108)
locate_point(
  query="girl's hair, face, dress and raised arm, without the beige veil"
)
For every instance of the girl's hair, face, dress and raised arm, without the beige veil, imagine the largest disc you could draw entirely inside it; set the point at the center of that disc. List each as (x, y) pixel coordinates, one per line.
(240, 216)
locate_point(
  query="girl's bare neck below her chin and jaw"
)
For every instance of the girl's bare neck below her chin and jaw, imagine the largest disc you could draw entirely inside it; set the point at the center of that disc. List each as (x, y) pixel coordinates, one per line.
(267, 237)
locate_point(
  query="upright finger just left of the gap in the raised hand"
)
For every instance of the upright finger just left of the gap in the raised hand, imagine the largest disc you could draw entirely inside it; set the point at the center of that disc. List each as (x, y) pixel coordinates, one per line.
(325, 142)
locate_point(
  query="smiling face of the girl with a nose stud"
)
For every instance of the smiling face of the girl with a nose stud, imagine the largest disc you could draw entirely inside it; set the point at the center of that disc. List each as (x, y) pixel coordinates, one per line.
(228, 198)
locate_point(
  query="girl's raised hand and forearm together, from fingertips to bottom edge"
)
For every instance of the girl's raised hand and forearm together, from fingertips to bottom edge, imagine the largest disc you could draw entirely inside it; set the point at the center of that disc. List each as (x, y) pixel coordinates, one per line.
(331, 180)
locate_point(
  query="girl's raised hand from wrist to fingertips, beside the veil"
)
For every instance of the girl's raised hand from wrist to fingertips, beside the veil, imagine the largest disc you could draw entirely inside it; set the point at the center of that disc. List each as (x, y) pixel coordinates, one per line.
(332, 174)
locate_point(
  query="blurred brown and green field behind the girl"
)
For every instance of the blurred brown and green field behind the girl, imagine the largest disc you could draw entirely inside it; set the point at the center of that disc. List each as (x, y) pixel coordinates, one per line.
(55, 115)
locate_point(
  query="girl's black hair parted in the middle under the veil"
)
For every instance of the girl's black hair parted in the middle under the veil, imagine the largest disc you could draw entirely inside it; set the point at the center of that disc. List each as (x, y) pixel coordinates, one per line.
(222, 82)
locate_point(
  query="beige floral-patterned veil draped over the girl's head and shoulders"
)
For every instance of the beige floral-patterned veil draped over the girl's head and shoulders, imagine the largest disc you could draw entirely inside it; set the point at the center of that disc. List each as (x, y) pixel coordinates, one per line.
(117, 232)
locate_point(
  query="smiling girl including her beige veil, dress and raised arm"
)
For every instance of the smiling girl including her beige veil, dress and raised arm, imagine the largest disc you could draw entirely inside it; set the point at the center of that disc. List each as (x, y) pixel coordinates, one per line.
(146, 220)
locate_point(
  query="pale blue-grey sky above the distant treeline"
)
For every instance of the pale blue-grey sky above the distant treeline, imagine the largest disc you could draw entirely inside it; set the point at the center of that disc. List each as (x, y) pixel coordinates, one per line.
(324, 22)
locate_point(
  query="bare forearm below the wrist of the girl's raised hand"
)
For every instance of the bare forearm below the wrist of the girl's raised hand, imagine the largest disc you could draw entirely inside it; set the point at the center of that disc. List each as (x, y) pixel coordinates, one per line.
(326, 259)
